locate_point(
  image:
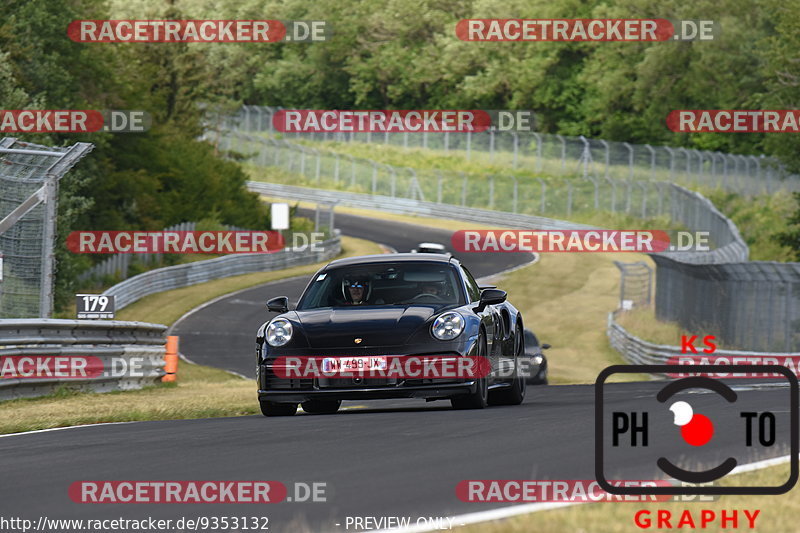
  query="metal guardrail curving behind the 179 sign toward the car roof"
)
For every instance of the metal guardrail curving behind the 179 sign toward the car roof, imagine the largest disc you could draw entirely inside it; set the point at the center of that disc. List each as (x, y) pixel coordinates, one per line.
(178, 276)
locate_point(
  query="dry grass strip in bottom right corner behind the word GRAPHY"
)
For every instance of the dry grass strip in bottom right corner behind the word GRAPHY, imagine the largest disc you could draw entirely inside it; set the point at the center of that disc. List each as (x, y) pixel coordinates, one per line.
(777, 513)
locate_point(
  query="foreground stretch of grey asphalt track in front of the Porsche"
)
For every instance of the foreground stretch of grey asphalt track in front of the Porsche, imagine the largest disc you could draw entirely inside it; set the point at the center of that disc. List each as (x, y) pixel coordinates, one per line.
(400, 459)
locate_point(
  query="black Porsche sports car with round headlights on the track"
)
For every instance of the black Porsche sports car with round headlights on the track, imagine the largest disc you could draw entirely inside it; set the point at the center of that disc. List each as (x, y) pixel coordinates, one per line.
(359, 316)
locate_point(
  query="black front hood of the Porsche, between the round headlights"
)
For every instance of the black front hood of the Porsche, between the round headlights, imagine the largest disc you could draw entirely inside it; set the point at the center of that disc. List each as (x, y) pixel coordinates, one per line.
(338, 327)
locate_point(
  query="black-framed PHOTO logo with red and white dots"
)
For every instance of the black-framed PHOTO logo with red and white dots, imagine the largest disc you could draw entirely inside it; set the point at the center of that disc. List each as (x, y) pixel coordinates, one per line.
(695, 430)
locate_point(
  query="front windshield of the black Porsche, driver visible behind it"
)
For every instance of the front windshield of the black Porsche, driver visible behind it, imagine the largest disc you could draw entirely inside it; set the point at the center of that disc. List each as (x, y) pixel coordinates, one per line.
(406, 283)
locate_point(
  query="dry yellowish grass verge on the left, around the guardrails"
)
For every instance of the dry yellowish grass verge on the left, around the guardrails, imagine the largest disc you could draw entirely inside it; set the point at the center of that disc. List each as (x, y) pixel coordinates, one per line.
(200, 391)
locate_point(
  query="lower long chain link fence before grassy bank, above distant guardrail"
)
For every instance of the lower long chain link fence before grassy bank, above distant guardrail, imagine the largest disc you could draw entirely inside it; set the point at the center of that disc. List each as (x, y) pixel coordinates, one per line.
(319, 168)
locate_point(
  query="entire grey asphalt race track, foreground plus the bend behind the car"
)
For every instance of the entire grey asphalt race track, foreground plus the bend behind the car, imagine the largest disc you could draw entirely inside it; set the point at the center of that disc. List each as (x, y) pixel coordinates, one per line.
(390, 458)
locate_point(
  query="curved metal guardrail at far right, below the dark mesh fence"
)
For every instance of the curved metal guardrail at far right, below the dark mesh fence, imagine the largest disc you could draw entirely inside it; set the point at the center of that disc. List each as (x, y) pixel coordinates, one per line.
(640, 352)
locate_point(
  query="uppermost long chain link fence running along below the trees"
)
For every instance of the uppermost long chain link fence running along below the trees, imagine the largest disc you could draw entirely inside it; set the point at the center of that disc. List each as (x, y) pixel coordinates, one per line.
(559, 155)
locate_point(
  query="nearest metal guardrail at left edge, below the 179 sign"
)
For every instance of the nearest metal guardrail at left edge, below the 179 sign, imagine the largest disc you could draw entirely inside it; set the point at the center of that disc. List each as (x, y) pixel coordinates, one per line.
(132, 354)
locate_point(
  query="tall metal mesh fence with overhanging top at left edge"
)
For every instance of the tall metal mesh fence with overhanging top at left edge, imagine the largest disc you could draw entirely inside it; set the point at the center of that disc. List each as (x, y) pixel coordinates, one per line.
(29, 175)
